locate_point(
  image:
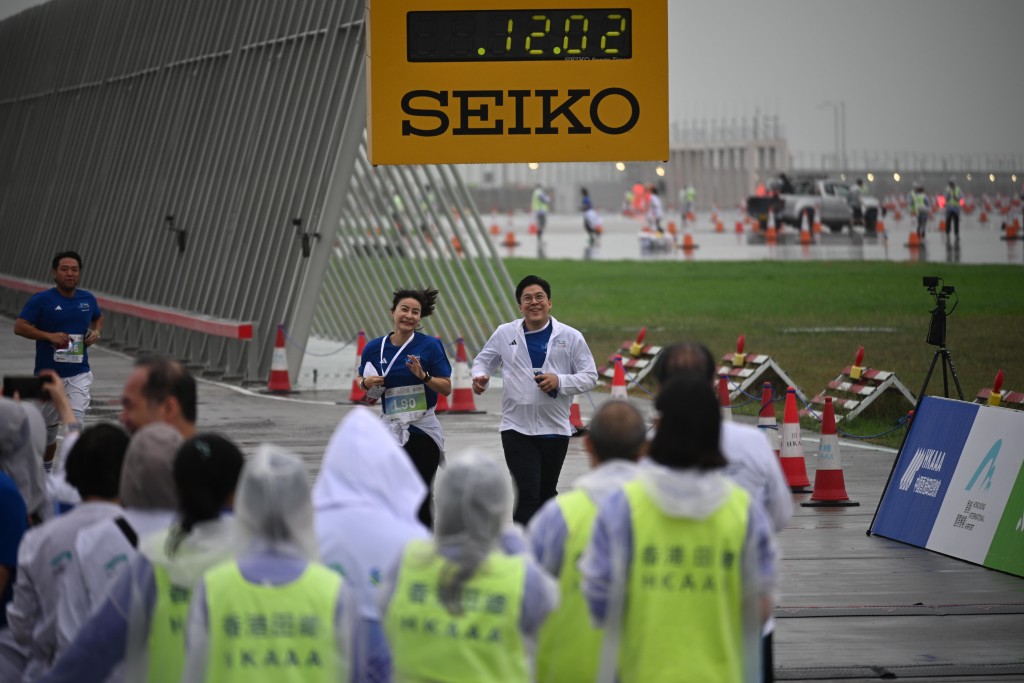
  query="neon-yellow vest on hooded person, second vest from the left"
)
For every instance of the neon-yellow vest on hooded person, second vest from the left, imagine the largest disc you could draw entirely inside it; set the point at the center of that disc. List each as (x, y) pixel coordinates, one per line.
(275, 634)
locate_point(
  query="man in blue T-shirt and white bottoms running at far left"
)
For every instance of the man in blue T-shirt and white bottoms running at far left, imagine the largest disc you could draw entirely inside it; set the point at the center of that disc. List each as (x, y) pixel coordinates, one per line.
(64, 322)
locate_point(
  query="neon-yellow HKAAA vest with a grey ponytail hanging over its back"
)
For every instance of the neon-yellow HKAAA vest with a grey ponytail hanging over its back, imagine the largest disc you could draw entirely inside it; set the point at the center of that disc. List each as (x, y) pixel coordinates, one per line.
(482, 646)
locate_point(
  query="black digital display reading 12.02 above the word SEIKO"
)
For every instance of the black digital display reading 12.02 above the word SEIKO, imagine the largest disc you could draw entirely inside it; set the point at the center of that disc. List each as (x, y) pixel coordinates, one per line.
(520, 35)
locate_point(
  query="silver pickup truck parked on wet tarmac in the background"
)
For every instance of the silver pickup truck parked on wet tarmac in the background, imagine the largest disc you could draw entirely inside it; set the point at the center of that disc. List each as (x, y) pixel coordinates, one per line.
(828, 197)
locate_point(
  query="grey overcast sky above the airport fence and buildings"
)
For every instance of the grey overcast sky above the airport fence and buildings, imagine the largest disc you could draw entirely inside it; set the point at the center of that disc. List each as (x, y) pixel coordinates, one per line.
(922, 76)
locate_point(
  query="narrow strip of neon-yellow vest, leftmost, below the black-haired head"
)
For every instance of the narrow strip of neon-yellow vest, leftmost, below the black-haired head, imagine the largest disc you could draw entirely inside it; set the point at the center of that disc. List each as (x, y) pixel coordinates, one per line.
(166, 647)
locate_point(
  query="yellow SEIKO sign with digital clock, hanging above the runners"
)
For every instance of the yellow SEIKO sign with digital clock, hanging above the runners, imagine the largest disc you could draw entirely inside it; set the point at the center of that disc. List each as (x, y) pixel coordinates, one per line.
(451, 83)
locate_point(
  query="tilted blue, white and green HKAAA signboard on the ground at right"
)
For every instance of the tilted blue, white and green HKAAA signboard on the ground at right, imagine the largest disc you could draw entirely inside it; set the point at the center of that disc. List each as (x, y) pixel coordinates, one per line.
(958, 488)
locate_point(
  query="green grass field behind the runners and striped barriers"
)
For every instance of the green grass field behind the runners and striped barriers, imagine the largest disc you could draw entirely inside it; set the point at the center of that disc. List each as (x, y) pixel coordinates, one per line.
(809, 317)
